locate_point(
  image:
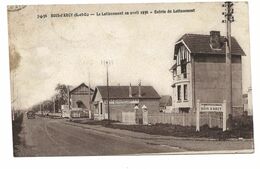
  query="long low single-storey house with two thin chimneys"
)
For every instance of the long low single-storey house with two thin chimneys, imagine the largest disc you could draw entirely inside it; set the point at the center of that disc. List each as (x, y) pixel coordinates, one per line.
(130, 101)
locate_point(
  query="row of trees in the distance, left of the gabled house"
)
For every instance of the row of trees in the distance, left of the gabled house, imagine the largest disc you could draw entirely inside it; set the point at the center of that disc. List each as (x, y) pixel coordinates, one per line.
(53, 104)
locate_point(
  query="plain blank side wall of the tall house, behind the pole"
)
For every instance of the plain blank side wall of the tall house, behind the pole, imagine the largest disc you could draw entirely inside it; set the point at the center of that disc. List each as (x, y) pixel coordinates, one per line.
(210, 85)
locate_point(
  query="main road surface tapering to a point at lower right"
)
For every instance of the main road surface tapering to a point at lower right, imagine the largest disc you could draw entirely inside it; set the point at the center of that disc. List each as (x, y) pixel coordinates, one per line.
(52, 137)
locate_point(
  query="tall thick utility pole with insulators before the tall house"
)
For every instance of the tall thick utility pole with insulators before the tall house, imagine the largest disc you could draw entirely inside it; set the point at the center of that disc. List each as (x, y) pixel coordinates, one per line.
(229, 18)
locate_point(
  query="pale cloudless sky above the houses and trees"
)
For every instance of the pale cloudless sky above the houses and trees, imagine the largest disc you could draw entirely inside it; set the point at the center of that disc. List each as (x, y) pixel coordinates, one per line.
(70, 50)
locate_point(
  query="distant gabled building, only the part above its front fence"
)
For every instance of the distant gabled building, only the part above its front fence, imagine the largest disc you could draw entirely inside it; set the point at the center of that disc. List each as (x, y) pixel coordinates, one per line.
(80, 97)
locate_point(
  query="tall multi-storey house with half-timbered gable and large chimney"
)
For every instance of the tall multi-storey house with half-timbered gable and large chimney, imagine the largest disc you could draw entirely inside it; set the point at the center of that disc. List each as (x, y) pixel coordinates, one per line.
(199, 72)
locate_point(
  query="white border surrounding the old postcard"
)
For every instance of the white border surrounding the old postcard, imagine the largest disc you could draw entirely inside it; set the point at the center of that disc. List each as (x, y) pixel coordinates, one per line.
(215, 161)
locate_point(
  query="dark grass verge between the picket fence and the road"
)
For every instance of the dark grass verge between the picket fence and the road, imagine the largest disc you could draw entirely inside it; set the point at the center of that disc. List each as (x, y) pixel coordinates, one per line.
(175, 130)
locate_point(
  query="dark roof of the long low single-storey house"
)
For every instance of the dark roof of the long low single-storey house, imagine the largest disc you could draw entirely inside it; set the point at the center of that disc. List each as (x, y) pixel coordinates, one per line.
(122, 92)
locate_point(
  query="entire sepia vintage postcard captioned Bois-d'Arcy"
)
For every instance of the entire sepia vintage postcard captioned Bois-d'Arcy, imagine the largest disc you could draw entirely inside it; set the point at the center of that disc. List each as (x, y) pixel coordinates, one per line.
(130, 79)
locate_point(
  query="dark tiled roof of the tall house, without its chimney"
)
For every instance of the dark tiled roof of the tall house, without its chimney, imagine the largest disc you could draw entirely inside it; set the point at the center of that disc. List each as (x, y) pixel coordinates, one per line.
(198, 43)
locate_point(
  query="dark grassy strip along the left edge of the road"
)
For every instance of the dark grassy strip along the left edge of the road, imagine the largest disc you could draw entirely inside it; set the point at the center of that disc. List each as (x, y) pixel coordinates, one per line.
(17, 128)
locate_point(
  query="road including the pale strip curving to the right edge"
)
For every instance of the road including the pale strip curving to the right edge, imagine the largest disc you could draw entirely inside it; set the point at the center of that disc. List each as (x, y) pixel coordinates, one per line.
(56, 137)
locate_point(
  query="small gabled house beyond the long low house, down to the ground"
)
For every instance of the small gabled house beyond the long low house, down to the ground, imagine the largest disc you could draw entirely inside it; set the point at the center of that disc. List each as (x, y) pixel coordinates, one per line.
(80, 100)
